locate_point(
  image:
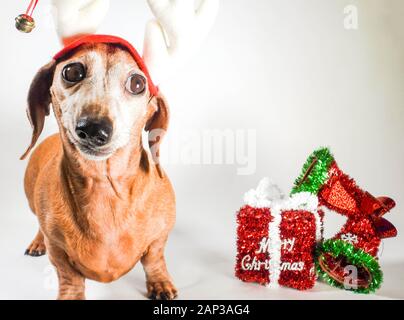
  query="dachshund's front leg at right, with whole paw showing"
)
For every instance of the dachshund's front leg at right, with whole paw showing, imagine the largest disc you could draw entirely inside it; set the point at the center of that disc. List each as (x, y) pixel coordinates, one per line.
(158, 281)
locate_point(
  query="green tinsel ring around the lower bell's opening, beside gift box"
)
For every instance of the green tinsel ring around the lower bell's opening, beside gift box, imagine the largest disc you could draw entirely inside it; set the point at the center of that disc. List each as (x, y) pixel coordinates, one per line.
(354, 256)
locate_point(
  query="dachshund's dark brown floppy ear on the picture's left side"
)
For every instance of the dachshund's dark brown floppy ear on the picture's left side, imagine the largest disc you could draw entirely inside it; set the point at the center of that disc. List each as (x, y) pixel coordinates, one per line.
(39, 99)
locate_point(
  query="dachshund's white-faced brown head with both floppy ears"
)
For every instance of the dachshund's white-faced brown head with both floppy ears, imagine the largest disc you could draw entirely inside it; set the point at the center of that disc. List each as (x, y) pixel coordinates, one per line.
(102, 96)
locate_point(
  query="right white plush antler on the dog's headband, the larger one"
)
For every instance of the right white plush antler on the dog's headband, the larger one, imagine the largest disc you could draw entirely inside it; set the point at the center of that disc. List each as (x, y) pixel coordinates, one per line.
(176, 33)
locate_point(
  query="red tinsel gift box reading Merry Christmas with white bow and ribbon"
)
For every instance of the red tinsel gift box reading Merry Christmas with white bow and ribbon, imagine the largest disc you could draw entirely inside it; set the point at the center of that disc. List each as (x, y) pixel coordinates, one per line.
(276, 238)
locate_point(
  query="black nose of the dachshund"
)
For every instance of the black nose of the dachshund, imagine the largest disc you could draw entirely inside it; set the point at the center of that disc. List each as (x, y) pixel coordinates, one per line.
(94, 131)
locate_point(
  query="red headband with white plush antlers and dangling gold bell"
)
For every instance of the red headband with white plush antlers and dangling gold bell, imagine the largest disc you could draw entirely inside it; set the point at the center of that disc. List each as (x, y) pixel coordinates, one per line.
(171, 38)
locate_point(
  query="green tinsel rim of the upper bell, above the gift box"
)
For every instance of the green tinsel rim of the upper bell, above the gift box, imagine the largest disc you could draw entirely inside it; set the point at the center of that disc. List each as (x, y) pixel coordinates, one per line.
(319, 163)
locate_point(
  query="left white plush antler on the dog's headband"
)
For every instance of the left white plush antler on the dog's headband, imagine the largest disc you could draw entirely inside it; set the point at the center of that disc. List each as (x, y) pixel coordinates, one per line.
(76, 17)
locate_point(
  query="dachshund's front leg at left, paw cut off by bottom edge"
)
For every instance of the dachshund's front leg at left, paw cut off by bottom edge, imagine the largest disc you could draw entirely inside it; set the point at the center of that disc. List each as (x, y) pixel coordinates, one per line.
(71, 282)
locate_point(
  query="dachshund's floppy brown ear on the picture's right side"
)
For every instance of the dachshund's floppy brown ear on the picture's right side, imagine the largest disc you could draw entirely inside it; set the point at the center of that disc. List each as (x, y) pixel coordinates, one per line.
(157, 127)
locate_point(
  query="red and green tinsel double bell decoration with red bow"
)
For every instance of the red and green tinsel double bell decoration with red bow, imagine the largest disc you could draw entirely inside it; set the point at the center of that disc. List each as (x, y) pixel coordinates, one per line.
(348, 260)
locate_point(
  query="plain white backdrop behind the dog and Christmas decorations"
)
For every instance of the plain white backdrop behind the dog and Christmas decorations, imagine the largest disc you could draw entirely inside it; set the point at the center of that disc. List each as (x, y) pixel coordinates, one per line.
(287, 69)
